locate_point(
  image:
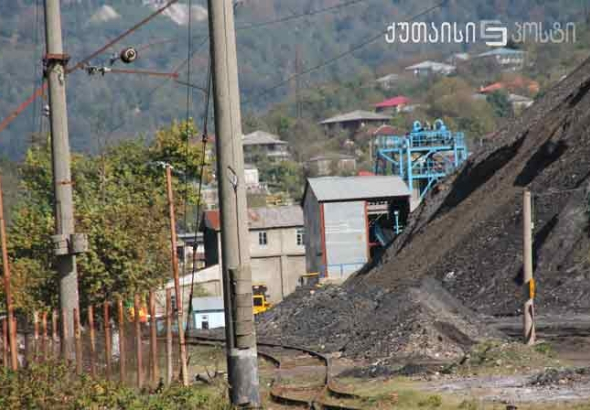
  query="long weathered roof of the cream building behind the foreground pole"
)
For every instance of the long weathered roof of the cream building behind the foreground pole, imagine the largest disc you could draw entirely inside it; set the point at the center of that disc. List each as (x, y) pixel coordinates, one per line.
(262, 218)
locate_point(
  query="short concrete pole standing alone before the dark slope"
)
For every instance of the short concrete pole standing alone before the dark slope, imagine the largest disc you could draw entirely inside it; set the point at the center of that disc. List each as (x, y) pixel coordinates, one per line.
(529, 281)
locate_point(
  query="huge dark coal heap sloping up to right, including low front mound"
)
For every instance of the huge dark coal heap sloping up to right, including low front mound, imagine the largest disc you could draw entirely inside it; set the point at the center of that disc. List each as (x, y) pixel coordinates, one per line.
(468, 237)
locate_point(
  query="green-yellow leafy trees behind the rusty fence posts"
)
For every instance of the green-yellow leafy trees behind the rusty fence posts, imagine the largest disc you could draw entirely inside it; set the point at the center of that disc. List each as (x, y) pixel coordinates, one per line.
(120, 202)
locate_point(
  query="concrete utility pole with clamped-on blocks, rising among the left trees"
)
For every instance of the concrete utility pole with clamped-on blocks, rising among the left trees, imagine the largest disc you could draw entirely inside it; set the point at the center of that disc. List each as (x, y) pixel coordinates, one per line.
(66, 243)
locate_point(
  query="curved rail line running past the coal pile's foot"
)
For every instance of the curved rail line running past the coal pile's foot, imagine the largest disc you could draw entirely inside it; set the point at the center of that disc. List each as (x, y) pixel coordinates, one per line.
(314, 396)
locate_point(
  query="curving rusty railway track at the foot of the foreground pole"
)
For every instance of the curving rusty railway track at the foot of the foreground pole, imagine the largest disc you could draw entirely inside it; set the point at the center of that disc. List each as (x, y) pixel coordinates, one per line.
(321, 394)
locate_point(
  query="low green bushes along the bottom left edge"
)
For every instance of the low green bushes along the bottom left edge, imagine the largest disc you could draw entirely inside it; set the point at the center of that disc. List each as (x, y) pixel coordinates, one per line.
(53, 386)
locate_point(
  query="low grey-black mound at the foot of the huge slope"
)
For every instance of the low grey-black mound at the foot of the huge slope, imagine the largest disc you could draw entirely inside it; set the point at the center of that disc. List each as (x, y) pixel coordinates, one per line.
(424, 321)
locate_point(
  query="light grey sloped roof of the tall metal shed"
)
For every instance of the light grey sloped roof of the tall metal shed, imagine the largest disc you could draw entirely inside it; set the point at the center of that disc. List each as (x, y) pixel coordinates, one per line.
(355, 188)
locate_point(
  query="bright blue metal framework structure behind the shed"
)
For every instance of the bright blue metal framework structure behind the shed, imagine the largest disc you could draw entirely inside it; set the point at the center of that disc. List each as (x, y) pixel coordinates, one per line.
(422, 157)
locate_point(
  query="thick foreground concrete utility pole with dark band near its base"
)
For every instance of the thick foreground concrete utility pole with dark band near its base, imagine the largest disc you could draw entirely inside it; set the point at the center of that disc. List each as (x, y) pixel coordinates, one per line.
(237, 277)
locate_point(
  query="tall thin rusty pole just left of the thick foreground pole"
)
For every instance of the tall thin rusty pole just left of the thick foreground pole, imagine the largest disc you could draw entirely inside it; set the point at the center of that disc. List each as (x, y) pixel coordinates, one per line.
(174, 258)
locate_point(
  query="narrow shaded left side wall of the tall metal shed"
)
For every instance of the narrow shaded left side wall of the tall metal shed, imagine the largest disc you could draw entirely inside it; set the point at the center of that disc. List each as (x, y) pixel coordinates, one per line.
(313, 233)
